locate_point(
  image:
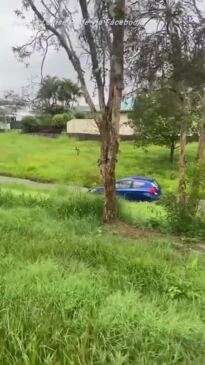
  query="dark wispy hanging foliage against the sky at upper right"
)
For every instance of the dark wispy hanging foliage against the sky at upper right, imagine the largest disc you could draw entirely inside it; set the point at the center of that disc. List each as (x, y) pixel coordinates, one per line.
(169, 44)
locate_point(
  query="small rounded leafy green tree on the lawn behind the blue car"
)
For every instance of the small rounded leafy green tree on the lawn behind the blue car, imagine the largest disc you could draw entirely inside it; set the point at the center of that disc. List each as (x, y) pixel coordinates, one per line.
(157, 117)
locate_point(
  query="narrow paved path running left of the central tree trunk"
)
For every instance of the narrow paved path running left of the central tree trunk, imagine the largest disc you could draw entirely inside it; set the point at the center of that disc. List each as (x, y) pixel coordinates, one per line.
(16, 180)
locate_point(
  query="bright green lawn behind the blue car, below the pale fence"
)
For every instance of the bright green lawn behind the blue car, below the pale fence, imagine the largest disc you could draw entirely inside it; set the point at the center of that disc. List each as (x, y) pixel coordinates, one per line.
(48, 159)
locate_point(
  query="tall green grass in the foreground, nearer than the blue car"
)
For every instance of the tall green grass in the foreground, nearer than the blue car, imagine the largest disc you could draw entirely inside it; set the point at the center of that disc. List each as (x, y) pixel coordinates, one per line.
(73, 292)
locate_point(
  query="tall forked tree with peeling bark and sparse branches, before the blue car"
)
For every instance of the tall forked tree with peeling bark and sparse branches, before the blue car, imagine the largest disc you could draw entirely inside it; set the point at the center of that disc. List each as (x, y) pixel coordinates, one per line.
(101, 34)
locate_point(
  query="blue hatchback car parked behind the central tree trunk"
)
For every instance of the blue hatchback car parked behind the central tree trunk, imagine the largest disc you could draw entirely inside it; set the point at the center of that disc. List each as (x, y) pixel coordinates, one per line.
(136, 189)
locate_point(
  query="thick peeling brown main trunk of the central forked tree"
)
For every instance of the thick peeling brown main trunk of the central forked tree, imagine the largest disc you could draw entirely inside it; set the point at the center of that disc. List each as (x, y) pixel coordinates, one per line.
(109, 129)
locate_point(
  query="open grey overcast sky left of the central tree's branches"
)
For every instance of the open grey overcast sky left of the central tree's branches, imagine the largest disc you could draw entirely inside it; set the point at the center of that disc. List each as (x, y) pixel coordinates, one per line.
(14, 75)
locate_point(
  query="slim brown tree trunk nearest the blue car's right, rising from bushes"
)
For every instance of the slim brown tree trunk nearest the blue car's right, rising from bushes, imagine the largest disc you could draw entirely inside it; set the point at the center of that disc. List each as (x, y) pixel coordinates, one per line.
(182, 168)
